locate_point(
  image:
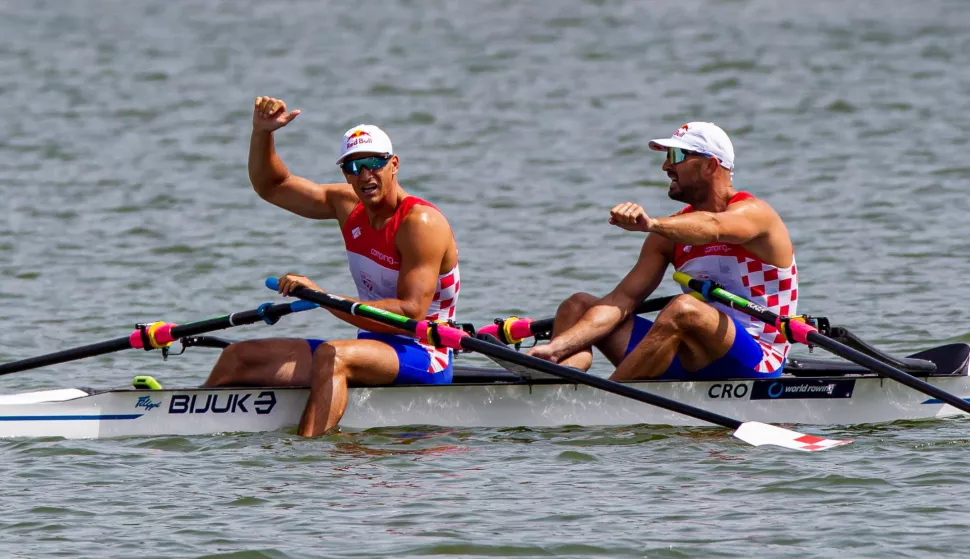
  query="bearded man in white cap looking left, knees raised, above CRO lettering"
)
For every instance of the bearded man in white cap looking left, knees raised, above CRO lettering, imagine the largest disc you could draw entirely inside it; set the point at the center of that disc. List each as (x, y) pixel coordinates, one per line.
(722, 234)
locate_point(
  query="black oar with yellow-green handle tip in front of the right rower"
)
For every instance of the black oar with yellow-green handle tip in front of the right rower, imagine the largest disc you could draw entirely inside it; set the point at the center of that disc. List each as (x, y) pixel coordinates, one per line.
(801, 332)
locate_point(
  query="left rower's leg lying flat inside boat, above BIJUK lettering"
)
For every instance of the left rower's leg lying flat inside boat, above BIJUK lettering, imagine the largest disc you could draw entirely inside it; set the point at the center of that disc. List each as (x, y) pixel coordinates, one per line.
(269, 362)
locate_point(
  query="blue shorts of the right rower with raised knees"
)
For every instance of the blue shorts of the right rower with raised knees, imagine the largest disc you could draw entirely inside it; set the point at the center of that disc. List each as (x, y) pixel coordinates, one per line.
(741, 361)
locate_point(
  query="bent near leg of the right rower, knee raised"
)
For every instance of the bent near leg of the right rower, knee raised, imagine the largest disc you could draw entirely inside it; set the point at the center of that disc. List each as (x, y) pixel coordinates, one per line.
(693, 330)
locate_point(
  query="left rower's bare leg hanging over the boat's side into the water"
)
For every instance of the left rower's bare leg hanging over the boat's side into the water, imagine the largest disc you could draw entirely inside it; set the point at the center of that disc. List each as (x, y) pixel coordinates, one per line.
(334, 364)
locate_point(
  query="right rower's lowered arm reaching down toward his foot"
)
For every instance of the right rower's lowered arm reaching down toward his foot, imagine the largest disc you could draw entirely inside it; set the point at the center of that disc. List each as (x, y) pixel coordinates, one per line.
(615, 307)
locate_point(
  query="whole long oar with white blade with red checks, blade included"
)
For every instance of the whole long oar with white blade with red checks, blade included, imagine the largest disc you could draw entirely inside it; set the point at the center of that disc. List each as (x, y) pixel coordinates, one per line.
(442, 335)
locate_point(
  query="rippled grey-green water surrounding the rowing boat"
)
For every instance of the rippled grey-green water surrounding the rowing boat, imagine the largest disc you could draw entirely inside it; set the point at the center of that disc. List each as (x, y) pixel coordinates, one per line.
(126, 198)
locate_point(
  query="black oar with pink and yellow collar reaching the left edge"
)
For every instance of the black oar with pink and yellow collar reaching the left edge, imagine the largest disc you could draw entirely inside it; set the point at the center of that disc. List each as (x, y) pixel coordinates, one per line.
(159, 335)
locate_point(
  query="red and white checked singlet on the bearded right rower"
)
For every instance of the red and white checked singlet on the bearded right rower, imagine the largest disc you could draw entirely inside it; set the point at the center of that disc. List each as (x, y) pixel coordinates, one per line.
(743, 273)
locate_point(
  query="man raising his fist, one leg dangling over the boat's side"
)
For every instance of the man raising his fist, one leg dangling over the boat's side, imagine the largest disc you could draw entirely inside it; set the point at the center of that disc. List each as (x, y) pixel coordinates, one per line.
(403, 258)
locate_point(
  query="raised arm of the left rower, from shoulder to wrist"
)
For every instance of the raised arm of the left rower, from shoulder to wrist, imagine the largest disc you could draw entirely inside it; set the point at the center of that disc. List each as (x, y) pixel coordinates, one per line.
(274, 183)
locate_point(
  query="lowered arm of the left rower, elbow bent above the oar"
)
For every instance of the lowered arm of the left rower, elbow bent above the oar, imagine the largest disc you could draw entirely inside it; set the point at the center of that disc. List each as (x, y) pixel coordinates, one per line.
(423, 240)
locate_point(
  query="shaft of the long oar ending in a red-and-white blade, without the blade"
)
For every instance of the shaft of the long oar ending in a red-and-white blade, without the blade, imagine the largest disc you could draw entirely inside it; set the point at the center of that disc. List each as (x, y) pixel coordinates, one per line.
(458, 339)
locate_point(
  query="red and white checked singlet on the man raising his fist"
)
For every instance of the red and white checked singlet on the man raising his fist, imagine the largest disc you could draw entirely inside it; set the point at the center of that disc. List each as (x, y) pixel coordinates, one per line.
(375, 265)
